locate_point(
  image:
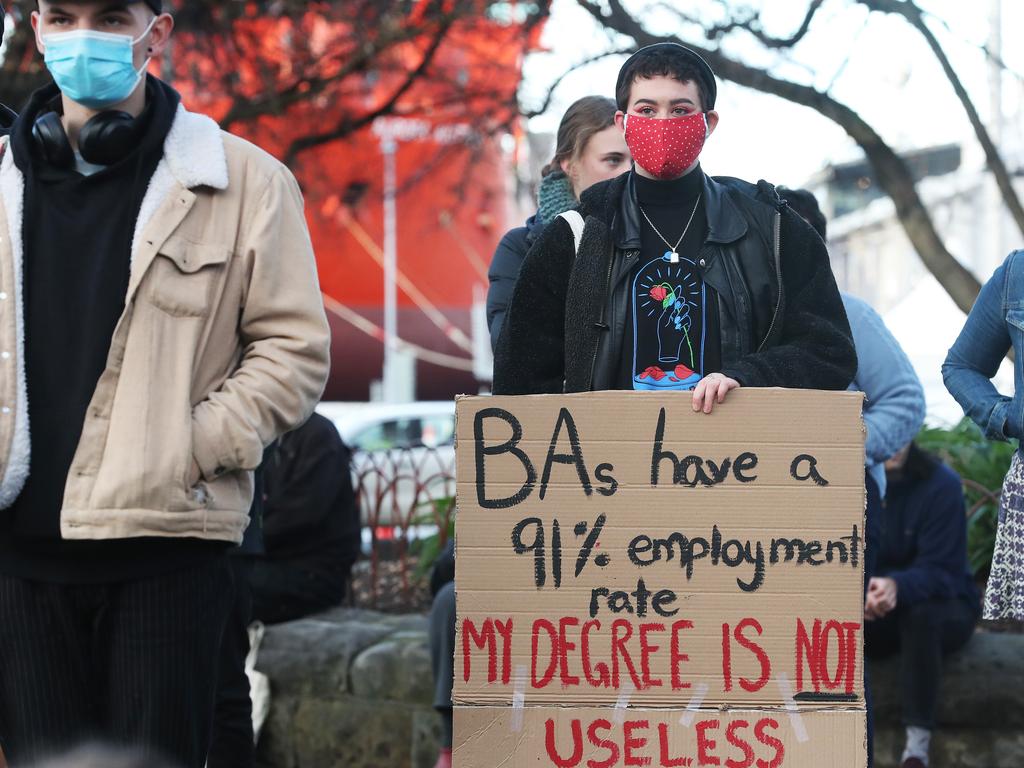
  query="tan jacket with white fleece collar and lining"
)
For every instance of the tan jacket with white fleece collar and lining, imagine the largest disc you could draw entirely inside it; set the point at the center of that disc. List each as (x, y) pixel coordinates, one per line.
(222, 348)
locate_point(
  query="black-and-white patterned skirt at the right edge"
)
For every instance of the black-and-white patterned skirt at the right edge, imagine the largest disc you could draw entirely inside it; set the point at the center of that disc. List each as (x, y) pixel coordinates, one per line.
(1005, 596)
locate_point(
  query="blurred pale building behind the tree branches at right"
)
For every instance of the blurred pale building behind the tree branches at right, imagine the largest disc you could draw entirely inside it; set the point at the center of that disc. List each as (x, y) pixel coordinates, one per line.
(873, 258)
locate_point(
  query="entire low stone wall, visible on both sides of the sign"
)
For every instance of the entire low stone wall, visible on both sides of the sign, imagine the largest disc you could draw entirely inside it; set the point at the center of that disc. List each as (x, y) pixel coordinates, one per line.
(355, 689)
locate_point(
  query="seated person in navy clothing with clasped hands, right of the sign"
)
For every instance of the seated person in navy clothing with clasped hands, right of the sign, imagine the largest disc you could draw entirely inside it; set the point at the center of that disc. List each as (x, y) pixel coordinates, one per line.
(923, 603)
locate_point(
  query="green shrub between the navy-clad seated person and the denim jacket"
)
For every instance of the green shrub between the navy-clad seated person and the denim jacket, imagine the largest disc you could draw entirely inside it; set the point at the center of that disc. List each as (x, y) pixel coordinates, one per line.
(983, 464)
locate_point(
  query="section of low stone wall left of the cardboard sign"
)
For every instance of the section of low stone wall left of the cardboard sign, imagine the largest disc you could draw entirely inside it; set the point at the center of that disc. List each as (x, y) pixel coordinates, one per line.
(350, 689)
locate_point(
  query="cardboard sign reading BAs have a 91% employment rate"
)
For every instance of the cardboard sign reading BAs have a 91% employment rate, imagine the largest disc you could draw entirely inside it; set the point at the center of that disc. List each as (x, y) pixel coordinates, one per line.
(618, 550)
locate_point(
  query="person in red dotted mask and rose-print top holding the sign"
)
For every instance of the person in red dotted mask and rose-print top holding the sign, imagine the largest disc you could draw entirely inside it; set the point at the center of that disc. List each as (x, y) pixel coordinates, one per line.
(679, 281)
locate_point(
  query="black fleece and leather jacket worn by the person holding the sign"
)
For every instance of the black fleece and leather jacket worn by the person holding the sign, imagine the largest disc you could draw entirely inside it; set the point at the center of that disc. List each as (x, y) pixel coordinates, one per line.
(782, 319)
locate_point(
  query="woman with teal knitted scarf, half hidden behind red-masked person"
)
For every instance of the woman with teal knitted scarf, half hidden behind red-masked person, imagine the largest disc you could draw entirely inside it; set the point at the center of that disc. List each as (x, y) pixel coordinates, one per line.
(588, 149)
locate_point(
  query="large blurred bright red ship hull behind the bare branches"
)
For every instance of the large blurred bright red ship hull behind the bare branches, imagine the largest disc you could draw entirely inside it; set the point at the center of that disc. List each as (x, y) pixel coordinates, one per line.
(405, 209)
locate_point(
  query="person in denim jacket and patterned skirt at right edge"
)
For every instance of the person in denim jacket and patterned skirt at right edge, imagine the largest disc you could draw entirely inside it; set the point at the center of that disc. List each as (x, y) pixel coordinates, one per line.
(995, 326)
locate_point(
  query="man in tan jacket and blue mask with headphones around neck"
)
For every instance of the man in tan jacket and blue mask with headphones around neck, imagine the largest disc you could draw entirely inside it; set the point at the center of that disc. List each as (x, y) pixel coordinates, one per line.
(160, 324)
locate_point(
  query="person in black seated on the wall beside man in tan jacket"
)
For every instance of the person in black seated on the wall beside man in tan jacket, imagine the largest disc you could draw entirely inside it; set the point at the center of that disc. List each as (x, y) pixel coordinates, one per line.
(312, 529)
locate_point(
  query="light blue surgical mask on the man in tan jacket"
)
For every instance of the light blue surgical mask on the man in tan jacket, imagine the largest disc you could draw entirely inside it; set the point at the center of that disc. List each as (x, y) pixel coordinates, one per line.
(95, 69)
